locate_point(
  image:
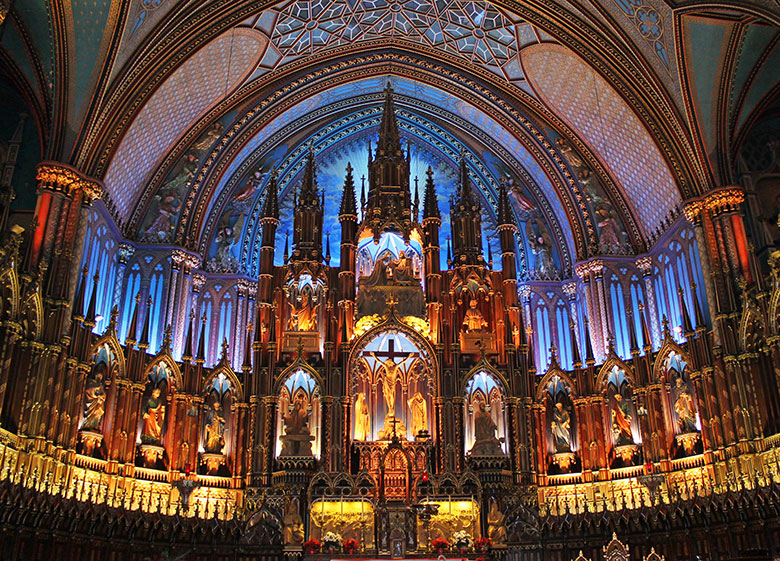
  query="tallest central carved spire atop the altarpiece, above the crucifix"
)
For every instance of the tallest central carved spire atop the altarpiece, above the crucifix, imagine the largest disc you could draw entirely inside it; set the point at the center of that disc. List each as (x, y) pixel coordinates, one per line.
(389, 204)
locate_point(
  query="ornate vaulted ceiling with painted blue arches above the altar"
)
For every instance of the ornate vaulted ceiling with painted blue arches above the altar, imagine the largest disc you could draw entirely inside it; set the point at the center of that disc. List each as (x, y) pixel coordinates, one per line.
(596, 110)
